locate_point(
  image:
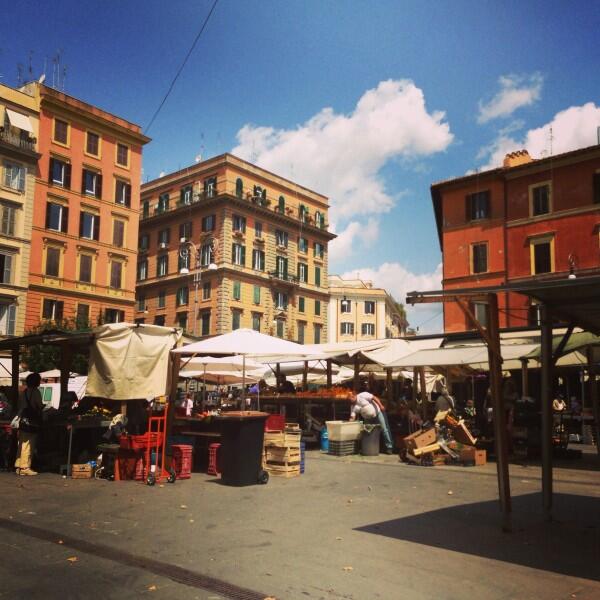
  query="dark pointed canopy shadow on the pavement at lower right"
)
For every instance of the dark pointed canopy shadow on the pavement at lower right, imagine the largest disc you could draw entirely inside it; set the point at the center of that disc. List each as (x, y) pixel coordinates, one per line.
(570, 545)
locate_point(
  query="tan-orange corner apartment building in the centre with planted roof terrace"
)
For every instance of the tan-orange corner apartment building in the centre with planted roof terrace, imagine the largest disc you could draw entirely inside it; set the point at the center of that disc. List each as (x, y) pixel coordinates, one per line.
(260, 258)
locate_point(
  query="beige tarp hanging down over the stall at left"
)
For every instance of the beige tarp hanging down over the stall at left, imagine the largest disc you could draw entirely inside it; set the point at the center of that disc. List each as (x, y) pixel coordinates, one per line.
(128, 362)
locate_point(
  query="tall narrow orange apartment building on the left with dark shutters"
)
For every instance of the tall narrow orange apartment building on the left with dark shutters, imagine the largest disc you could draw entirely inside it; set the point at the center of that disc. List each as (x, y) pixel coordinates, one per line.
(86, 210)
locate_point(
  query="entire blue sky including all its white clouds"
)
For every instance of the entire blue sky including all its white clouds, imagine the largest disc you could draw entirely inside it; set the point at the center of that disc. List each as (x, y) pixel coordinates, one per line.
(394, 95)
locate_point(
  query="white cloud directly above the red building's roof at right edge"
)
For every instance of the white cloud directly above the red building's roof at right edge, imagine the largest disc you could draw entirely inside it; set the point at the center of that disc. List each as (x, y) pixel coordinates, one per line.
(575, 127)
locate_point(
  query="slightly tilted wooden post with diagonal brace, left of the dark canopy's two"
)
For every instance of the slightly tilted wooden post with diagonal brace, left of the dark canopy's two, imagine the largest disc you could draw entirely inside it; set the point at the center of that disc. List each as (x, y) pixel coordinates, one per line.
(500, 438)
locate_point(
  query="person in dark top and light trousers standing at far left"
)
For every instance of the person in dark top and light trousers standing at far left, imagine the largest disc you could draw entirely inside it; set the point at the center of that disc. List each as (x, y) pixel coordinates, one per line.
(30, 422)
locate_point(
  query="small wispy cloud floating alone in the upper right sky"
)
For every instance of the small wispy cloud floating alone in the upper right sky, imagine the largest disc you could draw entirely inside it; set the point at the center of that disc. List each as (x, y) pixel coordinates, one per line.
(514, 93)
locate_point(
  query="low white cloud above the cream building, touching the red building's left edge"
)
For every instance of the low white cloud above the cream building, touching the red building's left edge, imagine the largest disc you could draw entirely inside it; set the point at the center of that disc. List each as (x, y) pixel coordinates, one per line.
(398, 281)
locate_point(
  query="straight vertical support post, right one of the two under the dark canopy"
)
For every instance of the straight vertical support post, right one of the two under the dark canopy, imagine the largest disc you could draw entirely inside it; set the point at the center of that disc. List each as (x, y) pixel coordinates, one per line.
(546, 399)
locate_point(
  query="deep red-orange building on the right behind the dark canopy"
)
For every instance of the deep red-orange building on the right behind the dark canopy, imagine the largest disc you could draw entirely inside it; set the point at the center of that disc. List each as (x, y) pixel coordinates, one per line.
(527, 220)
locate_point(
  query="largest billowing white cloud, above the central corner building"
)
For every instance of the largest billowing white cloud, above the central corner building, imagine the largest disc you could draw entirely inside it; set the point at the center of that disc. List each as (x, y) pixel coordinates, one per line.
(342, 155)
